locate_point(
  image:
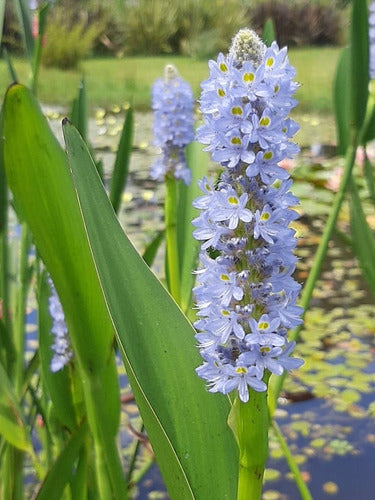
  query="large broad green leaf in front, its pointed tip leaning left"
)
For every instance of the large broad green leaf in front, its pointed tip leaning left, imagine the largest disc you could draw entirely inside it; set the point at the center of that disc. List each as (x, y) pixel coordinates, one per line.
(187, 427)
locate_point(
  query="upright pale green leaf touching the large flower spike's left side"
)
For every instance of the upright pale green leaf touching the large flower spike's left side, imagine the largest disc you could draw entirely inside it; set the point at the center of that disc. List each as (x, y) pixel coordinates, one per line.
(188, 247)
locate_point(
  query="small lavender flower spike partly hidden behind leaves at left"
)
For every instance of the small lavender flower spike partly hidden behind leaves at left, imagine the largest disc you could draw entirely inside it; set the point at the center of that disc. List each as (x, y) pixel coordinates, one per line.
(62, 351)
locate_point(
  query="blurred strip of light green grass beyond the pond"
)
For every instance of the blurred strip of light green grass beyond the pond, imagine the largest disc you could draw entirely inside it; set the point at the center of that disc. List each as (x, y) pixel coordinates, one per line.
(118, 81)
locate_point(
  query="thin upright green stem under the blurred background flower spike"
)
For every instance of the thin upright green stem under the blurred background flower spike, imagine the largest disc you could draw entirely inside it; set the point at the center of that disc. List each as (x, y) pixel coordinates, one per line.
(173, 269)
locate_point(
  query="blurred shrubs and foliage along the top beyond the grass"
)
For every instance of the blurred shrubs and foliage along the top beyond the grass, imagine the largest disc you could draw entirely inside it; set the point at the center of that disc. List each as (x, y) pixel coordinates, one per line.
(200, 28)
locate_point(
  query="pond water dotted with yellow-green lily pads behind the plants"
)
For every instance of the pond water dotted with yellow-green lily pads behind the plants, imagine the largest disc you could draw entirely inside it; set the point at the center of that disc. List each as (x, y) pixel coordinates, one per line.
(327, 411)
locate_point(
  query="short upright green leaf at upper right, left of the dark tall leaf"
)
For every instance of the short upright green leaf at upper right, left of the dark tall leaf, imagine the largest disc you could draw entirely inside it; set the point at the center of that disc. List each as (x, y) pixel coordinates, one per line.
(341, 101)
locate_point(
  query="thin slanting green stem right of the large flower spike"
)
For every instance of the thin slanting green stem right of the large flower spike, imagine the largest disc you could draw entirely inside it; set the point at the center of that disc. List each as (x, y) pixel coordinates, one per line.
(277, 382)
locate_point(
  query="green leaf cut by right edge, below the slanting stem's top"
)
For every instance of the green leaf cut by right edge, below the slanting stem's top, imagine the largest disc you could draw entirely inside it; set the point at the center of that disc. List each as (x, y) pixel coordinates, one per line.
(363, 238)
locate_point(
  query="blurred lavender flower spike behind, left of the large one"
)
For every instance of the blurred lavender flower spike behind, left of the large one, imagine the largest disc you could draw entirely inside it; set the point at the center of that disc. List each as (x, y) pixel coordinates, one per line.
(173, 105)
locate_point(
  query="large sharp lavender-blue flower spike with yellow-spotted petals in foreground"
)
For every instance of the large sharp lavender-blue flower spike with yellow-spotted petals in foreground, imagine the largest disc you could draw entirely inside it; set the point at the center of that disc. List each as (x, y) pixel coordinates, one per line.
(246, 294)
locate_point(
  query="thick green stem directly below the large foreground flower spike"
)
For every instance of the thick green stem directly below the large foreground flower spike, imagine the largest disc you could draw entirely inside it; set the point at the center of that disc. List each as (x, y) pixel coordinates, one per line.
(249, 423)
